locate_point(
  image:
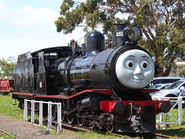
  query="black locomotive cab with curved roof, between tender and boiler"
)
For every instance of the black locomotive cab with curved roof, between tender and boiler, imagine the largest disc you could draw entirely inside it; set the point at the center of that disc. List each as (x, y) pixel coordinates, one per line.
(46, 73)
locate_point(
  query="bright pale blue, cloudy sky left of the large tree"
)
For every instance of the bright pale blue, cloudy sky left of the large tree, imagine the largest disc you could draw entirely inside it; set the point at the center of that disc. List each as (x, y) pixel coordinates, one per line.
(28, 25)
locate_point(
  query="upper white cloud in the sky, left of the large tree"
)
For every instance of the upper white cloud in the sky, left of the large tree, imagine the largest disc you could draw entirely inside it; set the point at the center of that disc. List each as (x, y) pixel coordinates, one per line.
(27, 15)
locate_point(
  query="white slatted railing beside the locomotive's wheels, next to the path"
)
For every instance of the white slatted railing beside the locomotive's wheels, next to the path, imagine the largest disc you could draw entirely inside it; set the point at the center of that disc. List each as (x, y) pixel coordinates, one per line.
(49, 124)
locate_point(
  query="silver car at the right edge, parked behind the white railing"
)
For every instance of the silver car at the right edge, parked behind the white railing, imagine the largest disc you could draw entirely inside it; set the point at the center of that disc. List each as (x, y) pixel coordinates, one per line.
(174, 90)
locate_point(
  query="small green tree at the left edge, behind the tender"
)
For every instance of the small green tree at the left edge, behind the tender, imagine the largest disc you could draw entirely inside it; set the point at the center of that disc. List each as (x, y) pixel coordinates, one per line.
(7, 68)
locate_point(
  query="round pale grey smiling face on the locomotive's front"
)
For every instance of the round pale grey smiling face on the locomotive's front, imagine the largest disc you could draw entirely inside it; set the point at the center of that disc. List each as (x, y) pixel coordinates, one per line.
(134, 69)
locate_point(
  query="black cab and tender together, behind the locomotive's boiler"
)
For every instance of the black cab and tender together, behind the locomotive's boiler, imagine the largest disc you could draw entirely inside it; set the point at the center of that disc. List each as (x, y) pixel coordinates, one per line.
(35, 73)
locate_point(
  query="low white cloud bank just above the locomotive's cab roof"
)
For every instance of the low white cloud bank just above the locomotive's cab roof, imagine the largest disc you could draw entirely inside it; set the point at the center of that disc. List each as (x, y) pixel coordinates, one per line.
(15, 45)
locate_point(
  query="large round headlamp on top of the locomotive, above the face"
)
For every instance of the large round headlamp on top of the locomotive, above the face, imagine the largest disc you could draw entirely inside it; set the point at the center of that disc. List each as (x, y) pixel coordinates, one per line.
(133, 33)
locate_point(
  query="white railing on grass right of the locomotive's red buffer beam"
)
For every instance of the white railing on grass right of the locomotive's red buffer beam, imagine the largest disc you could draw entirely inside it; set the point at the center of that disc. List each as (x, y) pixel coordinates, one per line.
(170, 118)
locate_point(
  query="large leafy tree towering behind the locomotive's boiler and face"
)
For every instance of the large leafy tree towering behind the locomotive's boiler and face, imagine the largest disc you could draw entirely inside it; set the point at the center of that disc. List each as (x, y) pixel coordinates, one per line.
(162, 23)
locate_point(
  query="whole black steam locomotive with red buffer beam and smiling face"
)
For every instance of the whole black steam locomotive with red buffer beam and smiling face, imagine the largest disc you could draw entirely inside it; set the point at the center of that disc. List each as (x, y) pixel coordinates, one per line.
(101, 88)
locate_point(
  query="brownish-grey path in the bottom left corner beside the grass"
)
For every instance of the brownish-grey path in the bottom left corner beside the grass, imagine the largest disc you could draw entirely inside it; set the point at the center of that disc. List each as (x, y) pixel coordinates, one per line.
(25, 130)
